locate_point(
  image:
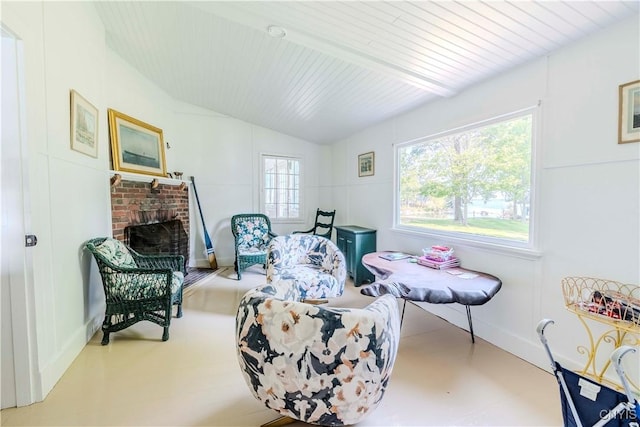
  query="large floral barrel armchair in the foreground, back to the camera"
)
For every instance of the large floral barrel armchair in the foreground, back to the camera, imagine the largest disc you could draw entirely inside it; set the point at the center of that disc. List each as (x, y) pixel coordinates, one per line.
(313, 363)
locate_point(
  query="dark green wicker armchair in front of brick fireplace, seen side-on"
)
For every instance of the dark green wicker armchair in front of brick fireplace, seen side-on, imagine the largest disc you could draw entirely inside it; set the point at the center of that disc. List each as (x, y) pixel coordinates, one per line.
(137, 287)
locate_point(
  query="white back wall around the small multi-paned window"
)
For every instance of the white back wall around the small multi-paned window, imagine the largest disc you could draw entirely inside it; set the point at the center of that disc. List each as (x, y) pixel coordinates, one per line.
(223, 154)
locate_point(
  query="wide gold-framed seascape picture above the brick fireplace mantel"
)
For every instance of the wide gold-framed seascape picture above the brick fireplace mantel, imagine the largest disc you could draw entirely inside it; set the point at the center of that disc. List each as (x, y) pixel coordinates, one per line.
(136, 146)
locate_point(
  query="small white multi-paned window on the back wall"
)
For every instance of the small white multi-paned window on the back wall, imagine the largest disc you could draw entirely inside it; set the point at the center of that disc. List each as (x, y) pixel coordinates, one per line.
(281, 187)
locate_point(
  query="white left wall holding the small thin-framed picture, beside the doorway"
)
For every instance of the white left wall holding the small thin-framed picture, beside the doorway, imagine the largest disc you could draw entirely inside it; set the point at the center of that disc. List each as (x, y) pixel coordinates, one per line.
(62, 50)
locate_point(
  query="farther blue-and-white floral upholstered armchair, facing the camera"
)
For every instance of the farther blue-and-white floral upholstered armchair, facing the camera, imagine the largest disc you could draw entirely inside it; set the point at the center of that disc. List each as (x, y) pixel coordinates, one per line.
(314, 263)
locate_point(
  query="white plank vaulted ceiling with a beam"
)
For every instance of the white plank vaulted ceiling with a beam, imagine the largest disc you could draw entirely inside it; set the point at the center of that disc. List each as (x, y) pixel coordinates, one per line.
(342, 65)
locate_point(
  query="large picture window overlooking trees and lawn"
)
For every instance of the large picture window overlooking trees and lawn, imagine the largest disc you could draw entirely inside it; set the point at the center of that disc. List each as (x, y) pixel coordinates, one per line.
(472, 183)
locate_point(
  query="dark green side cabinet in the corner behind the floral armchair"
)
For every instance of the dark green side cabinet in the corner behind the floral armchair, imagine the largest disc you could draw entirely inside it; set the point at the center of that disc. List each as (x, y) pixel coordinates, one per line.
(355, 242)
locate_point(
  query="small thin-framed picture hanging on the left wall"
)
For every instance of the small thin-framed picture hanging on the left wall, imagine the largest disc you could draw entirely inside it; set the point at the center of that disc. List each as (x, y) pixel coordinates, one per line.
(84, 125)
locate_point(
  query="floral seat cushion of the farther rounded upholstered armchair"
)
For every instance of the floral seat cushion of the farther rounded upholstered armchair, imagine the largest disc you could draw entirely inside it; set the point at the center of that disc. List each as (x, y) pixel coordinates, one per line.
(312, 281)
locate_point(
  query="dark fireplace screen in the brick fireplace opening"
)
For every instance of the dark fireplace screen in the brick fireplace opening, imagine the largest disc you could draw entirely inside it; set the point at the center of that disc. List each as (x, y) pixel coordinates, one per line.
(163, 238)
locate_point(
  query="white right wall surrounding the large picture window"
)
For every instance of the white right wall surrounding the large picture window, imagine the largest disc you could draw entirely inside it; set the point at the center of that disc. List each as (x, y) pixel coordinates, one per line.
(588, 188)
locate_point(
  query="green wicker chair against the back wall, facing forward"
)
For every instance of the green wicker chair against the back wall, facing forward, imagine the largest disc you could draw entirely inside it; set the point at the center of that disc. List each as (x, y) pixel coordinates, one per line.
(252, 234)
